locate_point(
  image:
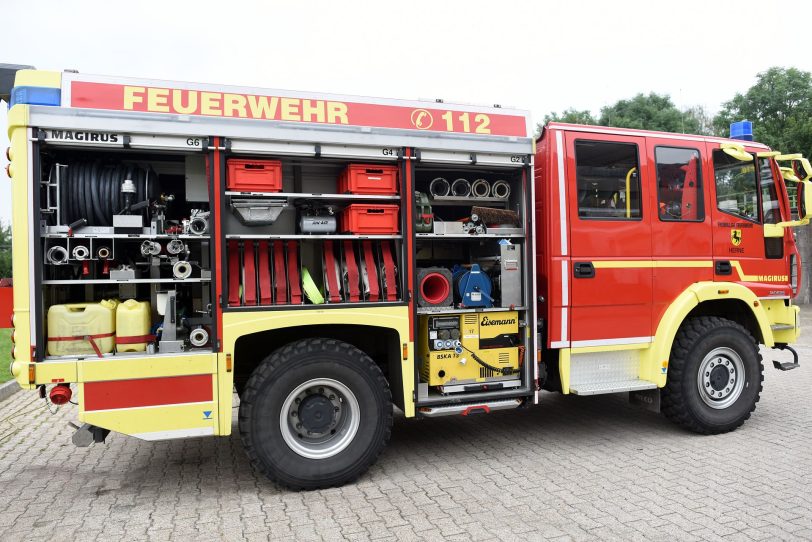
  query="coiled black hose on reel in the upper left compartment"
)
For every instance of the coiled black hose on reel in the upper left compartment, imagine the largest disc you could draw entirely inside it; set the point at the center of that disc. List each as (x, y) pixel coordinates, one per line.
(92, 190)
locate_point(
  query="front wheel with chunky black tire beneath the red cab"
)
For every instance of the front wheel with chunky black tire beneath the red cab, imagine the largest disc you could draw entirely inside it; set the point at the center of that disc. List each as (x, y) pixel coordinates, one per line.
(715, 376)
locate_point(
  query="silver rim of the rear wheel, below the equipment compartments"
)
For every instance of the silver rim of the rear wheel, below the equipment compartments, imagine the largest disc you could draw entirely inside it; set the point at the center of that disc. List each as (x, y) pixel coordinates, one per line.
(319, 418)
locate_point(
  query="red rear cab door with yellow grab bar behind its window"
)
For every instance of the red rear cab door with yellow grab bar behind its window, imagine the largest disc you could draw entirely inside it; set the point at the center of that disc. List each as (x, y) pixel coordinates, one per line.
(610, 229)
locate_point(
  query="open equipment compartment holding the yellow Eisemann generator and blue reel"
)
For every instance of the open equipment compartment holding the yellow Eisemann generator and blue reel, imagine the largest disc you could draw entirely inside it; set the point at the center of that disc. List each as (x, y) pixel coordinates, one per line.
(470, 289)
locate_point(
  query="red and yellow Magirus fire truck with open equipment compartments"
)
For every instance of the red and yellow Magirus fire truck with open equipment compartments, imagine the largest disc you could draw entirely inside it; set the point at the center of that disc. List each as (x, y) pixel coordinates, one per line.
(328, 258)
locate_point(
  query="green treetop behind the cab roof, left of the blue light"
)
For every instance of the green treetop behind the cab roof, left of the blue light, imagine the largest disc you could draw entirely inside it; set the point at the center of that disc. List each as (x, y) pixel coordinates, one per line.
(650, 112)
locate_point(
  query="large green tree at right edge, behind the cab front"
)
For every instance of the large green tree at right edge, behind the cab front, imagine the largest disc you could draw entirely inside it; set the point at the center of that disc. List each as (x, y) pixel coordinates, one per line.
(780, 106)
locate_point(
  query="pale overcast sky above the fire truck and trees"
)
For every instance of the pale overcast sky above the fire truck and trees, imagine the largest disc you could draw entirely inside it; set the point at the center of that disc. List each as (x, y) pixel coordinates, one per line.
(532, 55)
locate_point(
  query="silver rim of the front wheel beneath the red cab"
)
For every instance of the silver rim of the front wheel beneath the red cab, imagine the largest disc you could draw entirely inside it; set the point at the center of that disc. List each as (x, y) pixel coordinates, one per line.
(721, 378)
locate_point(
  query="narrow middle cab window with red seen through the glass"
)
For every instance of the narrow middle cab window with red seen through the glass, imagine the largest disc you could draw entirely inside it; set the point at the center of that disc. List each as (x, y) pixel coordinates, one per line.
(679, 184)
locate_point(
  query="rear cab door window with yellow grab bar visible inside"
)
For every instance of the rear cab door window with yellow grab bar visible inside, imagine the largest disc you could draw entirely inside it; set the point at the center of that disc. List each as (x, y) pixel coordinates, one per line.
(608, 180)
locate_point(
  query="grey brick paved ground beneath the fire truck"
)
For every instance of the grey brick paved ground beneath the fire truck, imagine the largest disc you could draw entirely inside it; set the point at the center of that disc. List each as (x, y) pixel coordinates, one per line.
(574, 468)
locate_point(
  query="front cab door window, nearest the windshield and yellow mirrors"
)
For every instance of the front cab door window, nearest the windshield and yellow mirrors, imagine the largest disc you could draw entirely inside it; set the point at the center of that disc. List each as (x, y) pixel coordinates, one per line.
(736, 186)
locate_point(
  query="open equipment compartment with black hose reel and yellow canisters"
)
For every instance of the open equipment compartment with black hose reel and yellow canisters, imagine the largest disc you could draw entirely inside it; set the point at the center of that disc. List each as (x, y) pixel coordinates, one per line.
(127, 234)
